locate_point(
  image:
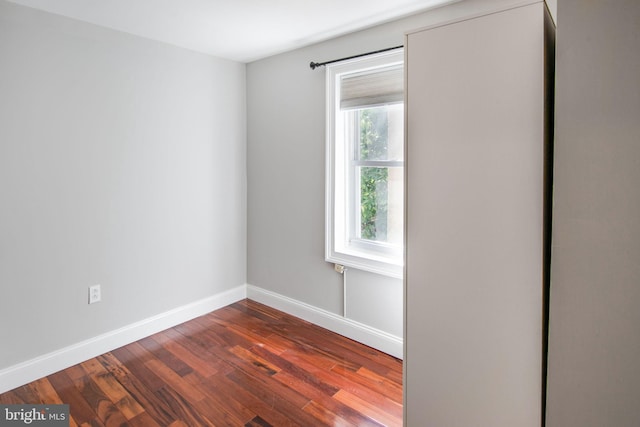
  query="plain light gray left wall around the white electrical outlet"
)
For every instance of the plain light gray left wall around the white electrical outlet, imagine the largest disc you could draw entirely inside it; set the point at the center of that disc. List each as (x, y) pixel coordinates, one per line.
(122, 162)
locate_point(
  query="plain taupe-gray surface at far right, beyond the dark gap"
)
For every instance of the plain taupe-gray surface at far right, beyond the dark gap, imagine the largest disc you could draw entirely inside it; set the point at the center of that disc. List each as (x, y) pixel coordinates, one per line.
(594, 349)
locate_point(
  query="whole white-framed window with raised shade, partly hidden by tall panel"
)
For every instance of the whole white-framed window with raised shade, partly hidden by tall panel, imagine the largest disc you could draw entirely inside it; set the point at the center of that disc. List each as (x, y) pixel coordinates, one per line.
(365, 163)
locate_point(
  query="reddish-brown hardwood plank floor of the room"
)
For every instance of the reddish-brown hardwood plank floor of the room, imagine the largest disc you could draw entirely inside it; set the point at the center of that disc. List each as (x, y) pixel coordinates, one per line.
(243, 365)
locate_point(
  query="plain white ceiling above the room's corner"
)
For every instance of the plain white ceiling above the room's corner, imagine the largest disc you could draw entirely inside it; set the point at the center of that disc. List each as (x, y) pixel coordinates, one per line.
(242, 30)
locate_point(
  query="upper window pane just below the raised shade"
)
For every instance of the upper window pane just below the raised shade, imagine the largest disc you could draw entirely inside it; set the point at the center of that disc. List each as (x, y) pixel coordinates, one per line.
(381, 133)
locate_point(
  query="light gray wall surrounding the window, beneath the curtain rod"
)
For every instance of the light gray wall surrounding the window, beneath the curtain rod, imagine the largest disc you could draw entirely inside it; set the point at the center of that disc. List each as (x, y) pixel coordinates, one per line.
(286, 182)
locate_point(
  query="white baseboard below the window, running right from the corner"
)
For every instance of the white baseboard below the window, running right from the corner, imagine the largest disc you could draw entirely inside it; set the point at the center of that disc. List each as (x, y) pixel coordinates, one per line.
(372, 337)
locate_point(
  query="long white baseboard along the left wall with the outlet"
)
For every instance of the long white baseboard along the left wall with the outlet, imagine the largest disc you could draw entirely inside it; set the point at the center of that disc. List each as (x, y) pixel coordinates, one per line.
(25, 372)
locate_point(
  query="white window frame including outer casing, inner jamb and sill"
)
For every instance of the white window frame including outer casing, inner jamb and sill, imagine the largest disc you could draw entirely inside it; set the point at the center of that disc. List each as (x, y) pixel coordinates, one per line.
(339, 249)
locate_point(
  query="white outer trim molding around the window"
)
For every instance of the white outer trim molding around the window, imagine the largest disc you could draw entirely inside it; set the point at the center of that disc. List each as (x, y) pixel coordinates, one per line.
(339, 252)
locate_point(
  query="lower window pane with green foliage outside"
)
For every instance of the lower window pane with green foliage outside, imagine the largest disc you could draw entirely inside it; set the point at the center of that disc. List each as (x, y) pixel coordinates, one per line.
(381, 204)
